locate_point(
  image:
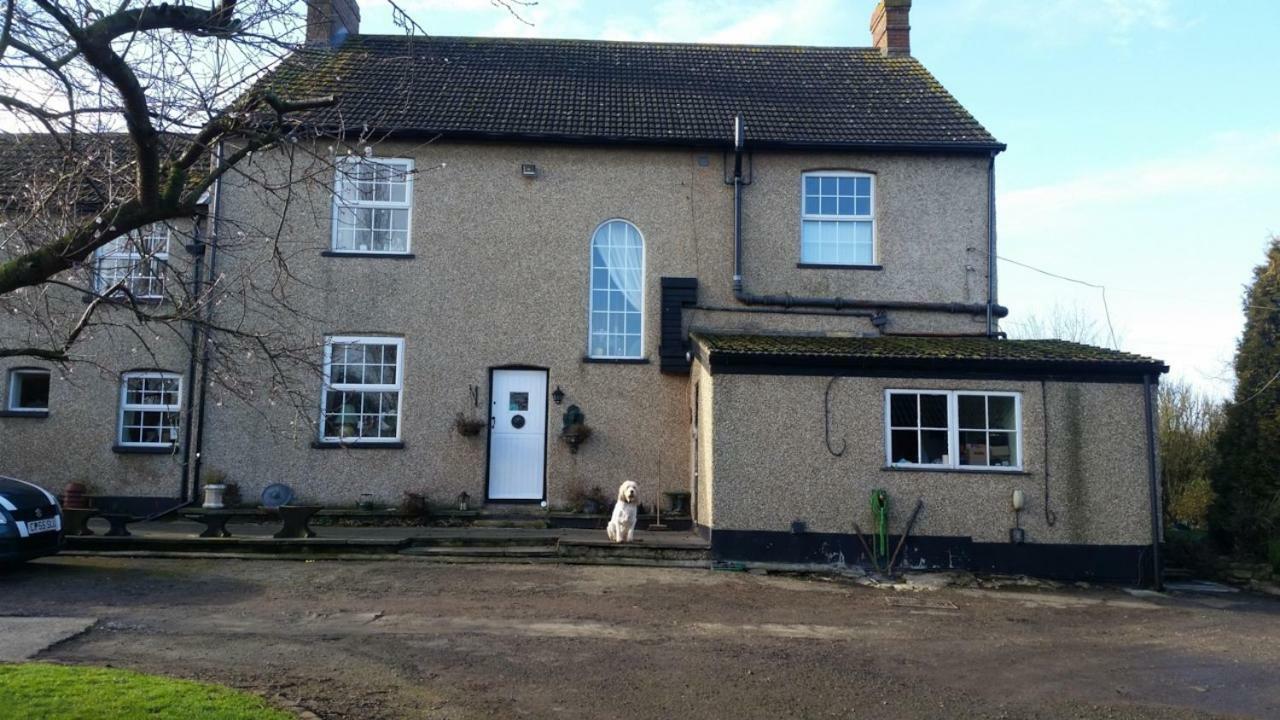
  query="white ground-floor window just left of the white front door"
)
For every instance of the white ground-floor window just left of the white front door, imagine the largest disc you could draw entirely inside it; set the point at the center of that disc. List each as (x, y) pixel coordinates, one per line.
(364, 380)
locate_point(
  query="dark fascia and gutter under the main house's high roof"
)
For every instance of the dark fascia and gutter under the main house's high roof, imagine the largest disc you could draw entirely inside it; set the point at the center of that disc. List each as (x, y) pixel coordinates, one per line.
(717, 143)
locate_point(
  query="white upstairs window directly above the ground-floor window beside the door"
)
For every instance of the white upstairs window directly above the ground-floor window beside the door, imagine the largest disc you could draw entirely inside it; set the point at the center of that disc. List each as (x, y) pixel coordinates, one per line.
(373, 202)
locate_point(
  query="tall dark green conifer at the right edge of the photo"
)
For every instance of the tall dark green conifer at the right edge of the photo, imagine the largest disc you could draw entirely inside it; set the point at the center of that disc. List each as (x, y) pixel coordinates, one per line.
(1246, 477)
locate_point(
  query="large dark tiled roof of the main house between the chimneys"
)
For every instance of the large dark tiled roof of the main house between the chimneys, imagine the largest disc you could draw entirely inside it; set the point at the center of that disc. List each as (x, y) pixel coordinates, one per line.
(630, 93)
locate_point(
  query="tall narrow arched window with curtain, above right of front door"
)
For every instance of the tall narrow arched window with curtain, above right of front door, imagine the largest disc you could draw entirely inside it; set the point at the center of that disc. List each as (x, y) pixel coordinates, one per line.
(618, 293)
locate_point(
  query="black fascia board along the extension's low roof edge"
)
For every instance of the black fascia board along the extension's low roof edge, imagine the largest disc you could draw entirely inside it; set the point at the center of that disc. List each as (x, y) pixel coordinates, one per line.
(1069, 371)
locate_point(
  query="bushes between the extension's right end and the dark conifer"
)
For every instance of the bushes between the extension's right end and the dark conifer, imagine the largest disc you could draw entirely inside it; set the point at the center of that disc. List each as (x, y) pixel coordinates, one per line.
(1188, 429)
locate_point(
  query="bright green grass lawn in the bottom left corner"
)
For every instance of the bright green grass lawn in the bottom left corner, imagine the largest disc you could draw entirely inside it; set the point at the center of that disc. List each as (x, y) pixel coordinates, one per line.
(38, 691)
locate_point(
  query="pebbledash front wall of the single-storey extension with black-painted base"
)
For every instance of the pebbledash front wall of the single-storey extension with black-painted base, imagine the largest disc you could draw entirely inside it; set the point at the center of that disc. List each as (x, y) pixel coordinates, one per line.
(767, 466)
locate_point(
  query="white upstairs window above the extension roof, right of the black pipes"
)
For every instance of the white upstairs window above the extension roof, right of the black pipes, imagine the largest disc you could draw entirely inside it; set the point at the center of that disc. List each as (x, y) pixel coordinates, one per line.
(838, 225)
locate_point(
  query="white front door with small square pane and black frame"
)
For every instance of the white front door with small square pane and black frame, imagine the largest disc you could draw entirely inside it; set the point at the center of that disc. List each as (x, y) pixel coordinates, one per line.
(518, 435)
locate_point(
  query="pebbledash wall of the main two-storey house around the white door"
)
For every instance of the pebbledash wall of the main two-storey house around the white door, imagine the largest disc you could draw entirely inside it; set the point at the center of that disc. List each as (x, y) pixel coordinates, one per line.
(500, 277)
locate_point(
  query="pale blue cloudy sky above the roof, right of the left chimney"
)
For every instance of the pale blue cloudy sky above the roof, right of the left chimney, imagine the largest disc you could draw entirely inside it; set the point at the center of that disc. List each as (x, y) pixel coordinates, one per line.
(1144, 135)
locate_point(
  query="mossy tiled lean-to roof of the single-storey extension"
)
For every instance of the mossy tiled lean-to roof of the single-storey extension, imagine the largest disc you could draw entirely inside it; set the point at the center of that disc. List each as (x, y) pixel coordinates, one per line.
(1017, 358)
